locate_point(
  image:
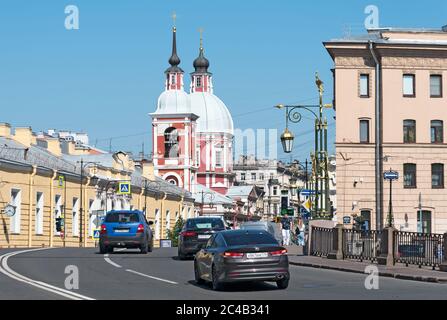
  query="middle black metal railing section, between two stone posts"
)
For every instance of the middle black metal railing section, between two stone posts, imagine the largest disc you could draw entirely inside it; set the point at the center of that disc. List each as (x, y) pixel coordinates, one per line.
(361, 245)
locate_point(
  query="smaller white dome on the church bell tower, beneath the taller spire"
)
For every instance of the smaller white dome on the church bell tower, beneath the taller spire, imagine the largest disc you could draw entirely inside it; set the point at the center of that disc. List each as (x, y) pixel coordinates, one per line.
(173, 102)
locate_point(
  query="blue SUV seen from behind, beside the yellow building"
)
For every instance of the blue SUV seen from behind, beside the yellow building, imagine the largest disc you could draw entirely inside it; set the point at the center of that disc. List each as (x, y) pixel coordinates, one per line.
(126, 229)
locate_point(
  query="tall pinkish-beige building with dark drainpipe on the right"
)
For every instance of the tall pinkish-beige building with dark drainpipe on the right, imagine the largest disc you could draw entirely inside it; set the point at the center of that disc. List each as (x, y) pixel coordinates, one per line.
(412, 68)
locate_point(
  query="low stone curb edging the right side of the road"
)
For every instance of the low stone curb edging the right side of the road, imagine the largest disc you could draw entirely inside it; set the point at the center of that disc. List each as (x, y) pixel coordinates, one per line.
(381, 273)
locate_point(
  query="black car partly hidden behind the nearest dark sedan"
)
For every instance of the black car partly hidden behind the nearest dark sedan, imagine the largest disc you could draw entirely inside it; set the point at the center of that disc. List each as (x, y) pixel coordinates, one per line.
(196, 232)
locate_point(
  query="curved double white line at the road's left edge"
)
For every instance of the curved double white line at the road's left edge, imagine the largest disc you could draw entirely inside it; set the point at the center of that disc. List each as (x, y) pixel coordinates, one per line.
(5, 269)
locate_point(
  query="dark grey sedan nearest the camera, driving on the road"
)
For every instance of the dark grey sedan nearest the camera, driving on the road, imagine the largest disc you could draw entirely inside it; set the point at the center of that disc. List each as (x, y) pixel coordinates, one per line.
(242, 255)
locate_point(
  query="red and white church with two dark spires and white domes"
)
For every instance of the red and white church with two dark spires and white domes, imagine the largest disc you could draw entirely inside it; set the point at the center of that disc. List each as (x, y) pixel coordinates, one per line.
(192, 132)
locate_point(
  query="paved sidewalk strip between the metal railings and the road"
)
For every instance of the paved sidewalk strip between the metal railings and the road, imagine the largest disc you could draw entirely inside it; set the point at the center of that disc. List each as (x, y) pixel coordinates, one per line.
(398, 272)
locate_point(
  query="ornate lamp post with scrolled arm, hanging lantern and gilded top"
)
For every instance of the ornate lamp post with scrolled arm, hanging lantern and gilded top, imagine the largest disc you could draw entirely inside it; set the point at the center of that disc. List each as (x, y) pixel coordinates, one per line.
(320, 156)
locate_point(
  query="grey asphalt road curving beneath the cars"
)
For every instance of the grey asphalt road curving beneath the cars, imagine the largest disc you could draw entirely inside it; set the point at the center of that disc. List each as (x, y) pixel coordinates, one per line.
(128, 275)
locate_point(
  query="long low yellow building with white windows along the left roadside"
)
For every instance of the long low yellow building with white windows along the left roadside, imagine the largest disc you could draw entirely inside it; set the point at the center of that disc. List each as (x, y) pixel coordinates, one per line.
(43, 185)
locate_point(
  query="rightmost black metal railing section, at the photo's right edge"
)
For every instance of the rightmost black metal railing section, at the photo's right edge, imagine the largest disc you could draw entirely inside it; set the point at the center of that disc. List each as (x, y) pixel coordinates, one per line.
(419, 249)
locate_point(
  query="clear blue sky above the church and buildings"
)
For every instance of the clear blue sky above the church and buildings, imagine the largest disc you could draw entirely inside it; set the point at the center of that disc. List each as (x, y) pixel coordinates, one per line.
(105, 78)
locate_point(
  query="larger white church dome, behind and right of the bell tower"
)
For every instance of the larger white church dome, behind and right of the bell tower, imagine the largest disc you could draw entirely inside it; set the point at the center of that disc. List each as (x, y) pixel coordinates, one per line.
(214, 116)
